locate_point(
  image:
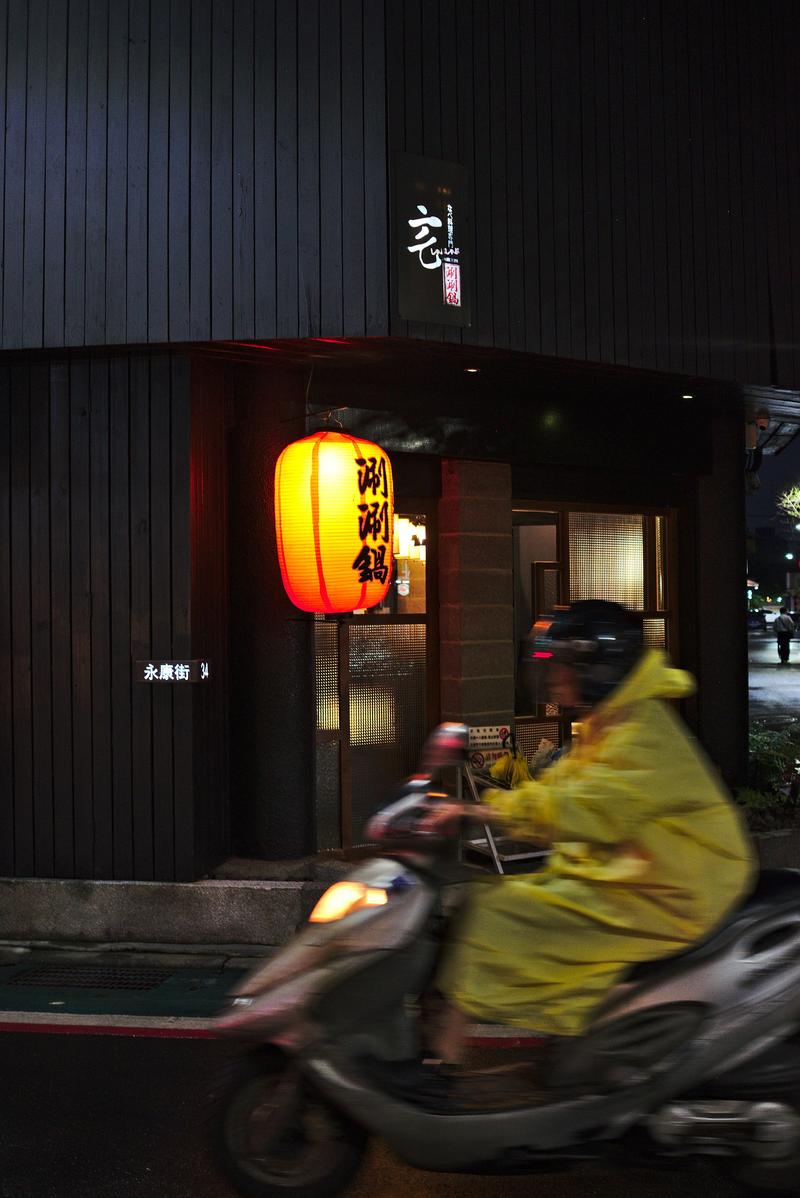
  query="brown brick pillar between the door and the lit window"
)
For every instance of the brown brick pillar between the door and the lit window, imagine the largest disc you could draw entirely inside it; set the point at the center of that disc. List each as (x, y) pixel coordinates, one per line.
(477, 592)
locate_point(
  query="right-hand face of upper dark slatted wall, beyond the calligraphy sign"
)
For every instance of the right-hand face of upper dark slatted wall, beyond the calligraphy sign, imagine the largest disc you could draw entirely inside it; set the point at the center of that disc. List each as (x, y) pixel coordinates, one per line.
(635, 168)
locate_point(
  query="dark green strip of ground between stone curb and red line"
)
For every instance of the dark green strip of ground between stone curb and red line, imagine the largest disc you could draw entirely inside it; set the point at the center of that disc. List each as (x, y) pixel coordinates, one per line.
(119, 990)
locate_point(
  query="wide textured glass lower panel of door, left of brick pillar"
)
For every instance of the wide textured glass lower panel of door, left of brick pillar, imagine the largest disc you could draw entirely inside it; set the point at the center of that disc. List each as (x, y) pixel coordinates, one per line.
(389, 681)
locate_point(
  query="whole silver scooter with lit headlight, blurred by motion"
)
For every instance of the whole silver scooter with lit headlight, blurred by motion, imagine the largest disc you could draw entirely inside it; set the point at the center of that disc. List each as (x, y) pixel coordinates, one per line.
(695, 1056)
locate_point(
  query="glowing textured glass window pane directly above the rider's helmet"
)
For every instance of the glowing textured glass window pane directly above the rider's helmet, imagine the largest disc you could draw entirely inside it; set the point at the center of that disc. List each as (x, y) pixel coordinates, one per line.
(607, 558)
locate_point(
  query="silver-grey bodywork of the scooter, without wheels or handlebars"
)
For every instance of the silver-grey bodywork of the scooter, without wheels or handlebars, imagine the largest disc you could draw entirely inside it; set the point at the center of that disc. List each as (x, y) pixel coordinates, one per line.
(658, 1038)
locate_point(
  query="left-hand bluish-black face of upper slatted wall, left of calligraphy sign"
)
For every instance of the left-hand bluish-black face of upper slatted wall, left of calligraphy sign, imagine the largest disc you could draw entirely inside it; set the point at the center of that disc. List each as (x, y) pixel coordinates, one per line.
(192, 171)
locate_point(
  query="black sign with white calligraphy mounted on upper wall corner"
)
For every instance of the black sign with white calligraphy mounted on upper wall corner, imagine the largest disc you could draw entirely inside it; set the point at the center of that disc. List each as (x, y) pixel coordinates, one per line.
(432, 241)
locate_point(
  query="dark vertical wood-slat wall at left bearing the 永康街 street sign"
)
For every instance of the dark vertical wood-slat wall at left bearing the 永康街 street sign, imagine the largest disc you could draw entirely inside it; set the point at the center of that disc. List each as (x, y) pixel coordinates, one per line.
(96, 769)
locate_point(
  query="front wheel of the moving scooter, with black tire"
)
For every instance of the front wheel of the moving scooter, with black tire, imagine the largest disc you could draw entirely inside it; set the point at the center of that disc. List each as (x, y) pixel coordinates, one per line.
(277, 1139)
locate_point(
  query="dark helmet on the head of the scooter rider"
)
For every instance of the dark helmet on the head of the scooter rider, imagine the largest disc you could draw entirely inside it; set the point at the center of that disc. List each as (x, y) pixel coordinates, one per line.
(602, 642)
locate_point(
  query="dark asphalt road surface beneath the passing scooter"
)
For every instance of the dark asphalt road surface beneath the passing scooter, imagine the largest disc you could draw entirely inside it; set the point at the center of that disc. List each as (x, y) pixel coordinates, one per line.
(100, 1117)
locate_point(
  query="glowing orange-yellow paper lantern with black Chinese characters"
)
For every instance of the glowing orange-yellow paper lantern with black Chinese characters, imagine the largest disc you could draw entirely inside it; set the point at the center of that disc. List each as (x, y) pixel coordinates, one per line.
(335, 519)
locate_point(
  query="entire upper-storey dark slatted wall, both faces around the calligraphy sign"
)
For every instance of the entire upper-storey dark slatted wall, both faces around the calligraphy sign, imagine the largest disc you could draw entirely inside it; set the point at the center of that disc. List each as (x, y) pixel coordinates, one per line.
(214, 170)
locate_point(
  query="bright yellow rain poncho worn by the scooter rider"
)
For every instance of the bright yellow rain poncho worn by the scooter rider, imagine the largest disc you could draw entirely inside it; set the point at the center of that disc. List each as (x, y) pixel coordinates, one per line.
(649, 855)
